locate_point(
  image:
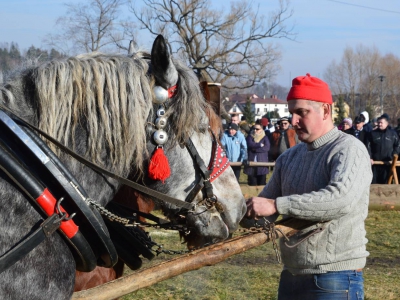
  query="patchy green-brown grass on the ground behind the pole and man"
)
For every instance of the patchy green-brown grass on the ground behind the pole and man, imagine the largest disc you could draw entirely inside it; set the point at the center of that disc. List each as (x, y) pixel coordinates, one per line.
(255, 273)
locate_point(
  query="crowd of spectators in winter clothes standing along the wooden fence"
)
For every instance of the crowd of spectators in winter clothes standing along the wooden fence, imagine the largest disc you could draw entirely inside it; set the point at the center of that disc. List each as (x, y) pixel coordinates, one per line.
(263, 141)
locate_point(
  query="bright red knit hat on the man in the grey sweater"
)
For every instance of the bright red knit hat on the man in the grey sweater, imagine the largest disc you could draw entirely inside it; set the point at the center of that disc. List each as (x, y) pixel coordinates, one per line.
(310, 88)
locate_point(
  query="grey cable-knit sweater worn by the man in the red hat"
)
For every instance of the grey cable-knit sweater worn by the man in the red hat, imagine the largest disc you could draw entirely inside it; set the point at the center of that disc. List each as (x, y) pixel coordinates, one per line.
(327, 180)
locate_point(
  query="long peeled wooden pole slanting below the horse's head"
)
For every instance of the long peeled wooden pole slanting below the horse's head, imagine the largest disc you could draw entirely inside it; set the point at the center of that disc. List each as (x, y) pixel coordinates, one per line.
(194, 260)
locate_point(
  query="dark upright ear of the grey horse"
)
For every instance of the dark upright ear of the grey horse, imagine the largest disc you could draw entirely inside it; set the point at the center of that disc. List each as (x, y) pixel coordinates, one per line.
(162, 66)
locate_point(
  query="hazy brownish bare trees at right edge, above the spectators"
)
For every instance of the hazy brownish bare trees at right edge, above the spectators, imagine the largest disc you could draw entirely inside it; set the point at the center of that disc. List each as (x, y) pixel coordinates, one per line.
(357, 78)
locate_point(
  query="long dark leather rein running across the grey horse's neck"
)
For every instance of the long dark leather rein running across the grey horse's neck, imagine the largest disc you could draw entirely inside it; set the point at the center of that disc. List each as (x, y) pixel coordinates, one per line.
(95, 167)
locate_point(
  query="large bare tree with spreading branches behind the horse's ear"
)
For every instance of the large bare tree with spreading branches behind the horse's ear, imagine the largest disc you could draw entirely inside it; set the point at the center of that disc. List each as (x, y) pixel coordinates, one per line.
(227, 46)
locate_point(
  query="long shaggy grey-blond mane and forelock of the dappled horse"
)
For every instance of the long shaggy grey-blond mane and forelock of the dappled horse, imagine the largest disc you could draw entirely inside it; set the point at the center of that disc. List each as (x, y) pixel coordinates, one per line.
(110, 98)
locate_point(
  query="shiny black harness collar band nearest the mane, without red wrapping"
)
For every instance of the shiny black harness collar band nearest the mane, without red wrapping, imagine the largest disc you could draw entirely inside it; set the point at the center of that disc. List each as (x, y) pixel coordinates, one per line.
(56, 177)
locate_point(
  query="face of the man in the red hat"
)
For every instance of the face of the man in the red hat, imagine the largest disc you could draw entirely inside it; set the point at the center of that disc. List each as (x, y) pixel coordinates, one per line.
(307, 119)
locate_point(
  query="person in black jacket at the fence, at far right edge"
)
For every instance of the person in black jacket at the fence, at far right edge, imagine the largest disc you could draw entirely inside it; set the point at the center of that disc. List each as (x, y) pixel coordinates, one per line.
(382, 144)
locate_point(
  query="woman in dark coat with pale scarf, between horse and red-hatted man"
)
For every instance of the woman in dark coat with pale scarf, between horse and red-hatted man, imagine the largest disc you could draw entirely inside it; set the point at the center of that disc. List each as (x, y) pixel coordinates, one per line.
(257, 150)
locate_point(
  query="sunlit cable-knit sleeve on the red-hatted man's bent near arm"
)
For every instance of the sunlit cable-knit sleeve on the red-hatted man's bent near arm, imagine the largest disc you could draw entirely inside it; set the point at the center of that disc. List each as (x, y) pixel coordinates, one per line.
(350, 176)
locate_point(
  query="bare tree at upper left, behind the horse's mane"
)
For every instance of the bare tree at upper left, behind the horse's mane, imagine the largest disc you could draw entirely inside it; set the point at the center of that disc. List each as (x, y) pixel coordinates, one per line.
(91, 25)
